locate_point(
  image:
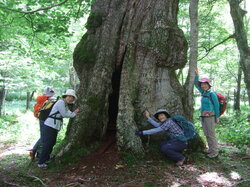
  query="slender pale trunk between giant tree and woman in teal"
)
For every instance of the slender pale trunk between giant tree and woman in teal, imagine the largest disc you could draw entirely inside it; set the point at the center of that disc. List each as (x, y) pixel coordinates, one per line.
(189, 85)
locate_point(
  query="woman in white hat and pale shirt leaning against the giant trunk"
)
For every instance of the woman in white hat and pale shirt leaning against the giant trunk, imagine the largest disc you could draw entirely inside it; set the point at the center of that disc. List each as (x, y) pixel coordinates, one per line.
(53, 124)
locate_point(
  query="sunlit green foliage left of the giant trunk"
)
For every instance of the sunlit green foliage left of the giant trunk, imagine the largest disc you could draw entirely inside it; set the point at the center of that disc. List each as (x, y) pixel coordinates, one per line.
(37, 41)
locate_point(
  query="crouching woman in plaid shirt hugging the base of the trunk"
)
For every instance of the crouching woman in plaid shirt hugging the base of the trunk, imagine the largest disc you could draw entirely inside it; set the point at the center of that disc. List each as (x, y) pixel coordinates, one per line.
(173, 147)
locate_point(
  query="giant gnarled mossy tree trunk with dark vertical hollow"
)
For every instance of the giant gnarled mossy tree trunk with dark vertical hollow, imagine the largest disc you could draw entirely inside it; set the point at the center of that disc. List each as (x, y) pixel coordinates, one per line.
(126, 63)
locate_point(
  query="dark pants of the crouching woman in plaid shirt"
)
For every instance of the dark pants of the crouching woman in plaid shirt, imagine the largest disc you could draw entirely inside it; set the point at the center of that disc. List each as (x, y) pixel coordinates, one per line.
(173, 149)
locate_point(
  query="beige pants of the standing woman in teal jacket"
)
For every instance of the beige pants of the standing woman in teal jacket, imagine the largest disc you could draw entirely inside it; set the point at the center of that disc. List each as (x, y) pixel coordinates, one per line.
(208, 125)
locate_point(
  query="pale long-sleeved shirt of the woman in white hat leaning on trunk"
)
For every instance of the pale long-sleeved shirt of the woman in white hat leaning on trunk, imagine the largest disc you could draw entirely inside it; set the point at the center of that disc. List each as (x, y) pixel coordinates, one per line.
(61, 107)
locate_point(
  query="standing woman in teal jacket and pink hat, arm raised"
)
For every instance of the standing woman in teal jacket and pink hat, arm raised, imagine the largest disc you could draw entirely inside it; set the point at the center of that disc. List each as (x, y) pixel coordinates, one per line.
(209, 113)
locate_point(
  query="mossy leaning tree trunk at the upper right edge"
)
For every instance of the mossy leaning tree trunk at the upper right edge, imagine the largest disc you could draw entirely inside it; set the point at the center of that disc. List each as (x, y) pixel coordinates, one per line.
(241, 38)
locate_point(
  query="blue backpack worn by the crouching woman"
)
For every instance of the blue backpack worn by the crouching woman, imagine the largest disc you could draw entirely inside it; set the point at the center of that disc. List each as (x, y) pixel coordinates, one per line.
(186, 126)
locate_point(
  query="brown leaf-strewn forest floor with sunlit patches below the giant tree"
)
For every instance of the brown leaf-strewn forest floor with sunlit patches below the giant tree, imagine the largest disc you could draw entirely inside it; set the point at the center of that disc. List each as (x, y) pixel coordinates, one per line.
(112, 168)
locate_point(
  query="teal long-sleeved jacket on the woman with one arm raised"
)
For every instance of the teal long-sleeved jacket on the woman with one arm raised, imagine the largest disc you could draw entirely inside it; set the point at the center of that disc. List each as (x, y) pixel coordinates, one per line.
(206, 103)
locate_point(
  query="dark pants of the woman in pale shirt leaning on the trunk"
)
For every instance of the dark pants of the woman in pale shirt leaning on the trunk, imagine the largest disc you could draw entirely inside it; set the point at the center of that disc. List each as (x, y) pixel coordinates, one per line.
(49, 136)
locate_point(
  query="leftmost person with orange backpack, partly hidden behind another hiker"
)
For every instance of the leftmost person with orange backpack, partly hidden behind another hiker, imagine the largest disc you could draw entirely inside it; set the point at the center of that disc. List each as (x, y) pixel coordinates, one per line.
(40, 100)
